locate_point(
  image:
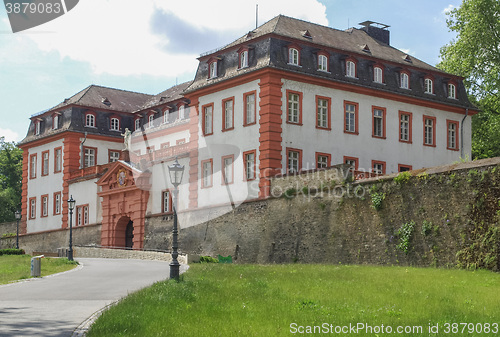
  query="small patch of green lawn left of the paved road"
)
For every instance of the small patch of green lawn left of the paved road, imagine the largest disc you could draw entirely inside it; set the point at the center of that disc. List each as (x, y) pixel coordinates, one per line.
(18, 267)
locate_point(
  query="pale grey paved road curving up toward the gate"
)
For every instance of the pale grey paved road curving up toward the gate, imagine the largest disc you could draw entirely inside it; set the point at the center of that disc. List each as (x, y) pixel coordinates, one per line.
(54, 306)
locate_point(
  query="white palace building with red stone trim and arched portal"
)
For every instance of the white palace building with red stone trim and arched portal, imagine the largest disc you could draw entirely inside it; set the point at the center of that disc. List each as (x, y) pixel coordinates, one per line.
(286, 97)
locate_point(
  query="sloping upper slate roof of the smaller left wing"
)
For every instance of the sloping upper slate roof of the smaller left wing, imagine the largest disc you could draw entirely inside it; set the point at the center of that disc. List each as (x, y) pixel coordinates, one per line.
(98, 97)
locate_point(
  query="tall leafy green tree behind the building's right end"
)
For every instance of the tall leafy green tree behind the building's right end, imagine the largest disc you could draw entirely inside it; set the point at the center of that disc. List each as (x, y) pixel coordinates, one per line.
(475, 55)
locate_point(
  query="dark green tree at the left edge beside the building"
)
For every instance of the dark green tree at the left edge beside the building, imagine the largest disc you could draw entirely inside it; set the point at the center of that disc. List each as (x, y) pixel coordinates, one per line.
(11, 158)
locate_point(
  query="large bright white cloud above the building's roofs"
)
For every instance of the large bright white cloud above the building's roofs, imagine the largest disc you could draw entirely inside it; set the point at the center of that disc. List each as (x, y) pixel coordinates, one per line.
(116, 36)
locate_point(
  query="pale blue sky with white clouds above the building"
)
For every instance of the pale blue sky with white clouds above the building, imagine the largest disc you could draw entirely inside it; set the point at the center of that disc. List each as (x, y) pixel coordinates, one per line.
(149, 45)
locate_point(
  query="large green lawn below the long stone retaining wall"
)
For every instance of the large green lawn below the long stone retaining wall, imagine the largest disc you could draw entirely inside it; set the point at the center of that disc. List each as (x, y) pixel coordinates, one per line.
(277, 300)
